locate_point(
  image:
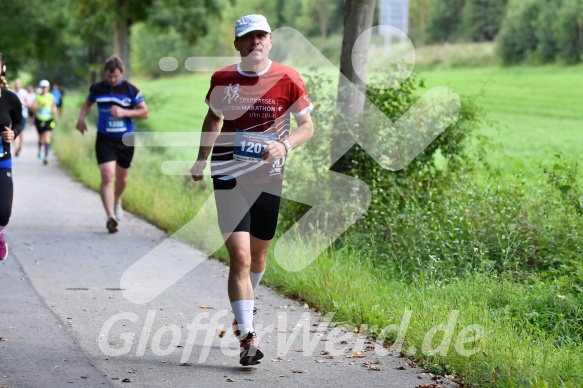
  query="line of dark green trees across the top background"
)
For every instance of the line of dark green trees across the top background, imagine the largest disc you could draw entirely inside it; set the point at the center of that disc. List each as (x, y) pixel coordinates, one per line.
(67, 41)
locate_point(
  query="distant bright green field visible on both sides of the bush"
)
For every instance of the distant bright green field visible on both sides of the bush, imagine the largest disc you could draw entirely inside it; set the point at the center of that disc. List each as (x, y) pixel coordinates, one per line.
(536, 108)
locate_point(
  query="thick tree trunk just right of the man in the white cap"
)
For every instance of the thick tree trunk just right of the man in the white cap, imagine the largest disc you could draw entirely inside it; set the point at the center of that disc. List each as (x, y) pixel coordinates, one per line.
(358, 17)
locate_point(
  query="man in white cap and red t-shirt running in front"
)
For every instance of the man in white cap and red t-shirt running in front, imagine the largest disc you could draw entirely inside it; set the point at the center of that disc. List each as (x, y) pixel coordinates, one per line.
(247, 127)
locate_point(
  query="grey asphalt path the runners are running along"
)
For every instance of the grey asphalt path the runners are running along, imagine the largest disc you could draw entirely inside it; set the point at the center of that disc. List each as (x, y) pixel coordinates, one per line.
(64, 319)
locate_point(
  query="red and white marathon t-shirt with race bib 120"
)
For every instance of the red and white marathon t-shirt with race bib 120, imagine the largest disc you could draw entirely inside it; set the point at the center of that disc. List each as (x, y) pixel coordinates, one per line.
(255, 107)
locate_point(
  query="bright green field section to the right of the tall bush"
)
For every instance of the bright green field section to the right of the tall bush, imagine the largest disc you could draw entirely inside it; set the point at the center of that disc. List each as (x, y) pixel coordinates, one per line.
(537, 109)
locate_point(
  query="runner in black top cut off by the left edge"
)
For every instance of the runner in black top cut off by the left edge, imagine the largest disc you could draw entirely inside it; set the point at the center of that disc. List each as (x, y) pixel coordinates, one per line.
(10, 127)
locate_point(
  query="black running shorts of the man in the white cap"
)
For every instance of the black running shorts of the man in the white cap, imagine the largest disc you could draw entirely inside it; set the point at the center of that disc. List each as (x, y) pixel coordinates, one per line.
(249, 208)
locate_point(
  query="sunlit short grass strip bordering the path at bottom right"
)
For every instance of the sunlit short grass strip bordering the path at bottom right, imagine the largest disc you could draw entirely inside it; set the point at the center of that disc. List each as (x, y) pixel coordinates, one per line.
(510, 351)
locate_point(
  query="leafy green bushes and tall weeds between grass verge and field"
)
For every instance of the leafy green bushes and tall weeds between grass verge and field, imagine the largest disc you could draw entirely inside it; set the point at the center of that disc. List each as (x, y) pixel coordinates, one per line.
(433, 218)
